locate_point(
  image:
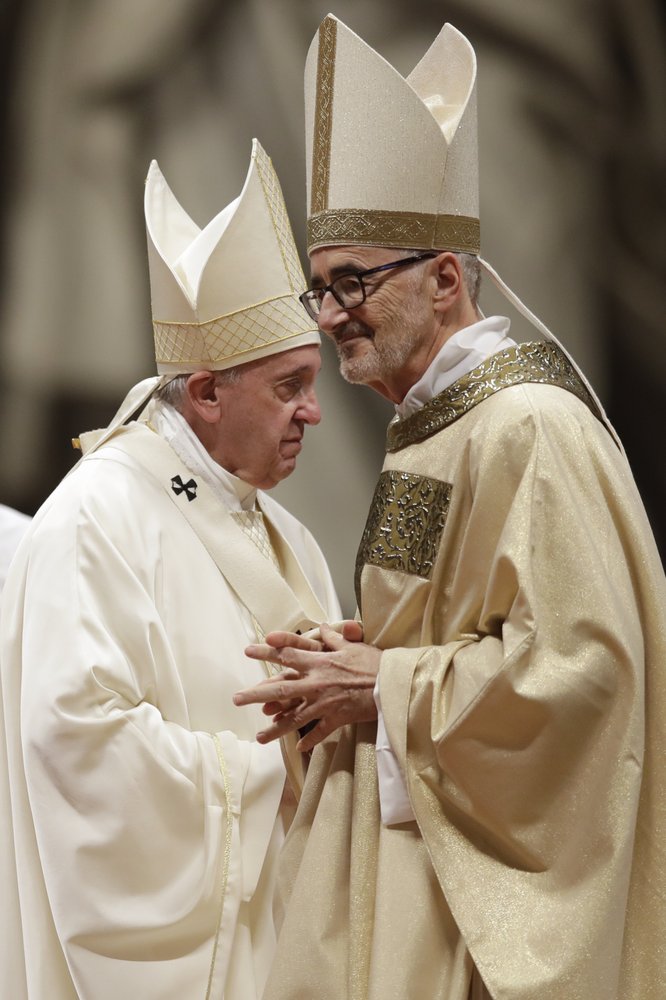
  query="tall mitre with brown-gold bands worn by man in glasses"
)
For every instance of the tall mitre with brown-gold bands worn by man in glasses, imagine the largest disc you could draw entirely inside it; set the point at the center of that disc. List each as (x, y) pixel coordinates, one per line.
(391, 161)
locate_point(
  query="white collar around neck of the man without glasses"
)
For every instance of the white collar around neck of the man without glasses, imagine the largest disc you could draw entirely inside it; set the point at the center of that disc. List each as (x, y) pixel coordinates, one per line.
(172, 426)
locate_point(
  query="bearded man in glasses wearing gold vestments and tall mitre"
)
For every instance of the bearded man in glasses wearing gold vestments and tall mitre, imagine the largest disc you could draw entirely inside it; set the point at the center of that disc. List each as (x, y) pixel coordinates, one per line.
(513, 605)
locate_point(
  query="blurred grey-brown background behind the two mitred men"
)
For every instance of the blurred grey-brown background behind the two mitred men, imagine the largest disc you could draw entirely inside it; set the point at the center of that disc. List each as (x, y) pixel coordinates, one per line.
(573, 157)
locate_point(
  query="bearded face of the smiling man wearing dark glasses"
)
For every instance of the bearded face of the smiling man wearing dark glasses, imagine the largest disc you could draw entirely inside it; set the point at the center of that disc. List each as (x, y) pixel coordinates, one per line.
(376, 339)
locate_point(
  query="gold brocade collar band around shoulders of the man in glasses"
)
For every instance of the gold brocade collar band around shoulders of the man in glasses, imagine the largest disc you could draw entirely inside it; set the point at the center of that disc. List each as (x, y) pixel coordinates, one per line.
(534, 362)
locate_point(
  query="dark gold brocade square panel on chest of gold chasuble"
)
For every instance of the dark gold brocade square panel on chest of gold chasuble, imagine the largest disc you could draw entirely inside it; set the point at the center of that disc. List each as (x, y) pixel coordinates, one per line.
(404, 526)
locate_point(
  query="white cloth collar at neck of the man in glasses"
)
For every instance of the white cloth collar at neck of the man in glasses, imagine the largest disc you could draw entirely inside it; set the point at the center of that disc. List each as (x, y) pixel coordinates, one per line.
(463, 351)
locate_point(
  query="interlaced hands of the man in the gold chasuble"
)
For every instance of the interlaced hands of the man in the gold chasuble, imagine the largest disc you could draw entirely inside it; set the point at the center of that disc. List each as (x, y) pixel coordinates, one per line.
(328, 678)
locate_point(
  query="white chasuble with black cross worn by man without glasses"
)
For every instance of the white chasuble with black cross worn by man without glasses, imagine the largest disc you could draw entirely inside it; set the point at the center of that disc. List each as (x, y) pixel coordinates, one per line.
(141, 821)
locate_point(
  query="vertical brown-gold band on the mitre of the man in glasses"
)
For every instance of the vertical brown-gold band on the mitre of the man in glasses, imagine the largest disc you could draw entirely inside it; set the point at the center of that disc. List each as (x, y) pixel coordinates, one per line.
(323, 124)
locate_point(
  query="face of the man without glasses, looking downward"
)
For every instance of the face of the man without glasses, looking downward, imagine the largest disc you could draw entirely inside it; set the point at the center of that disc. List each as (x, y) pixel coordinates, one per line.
(264, 415)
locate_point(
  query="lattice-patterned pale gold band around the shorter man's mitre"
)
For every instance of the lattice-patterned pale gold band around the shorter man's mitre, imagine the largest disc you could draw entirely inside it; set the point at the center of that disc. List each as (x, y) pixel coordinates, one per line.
(232, 335)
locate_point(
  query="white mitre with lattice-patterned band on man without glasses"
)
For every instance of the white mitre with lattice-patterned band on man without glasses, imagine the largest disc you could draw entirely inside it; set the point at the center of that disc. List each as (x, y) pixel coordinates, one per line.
(228, 293)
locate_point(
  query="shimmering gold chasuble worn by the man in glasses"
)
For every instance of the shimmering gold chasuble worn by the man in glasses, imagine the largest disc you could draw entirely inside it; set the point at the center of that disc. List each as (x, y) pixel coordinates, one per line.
(508, 569)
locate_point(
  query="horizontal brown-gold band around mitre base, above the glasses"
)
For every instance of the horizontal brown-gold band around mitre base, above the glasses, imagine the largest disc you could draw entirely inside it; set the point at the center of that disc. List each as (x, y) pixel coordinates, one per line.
(411, 230)
